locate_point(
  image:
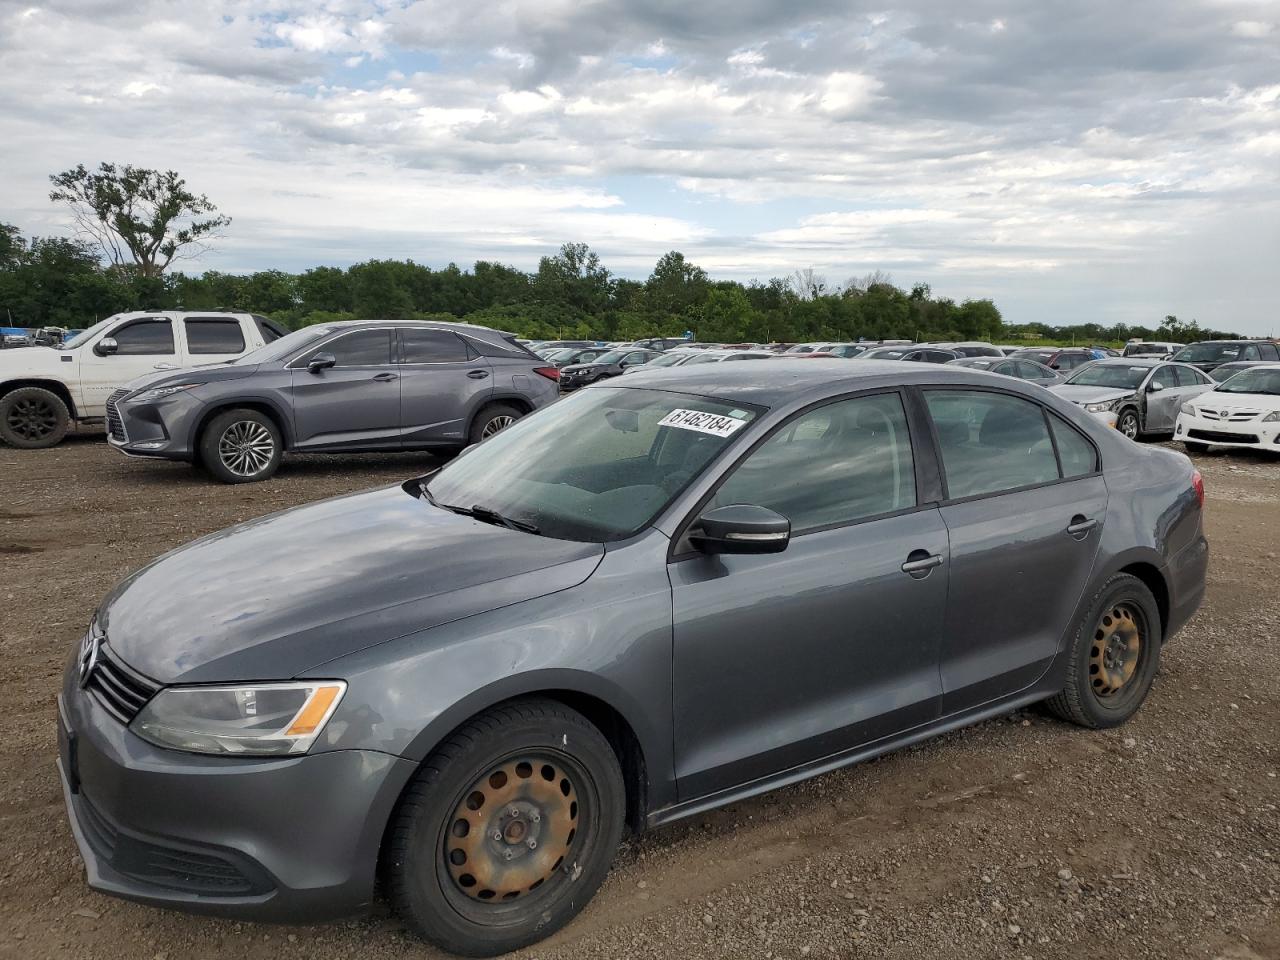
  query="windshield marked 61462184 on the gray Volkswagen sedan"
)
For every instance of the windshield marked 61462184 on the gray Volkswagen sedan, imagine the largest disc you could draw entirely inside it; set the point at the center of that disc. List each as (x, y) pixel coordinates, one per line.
(597, 467)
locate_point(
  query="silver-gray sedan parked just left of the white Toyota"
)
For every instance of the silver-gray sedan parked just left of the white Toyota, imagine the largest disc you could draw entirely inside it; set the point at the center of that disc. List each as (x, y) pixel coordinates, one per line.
(1139, 395)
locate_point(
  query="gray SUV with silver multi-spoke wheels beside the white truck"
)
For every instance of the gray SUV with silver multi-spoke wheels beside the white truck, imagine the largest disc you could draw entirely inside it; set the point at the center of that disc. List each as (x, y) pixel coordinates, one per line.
(360, 386)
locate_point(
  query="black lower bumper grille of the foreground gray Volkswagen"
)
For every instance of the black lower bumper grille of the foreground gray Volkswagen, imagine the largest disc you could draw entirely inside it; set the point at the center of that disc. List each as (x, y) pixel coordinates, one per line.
(166, 866)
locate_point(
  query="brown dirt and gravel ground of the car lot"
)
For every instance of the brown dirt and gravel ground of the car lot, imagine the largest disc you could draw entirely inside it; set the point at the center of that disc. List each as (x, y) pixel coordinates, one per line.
(1022, 838)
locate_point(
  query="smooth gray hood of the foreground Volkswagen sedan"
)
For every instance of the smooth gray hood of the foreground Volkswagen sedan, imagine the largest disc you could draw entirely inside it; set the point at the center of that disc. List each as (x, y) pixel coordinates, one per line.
(282, 595)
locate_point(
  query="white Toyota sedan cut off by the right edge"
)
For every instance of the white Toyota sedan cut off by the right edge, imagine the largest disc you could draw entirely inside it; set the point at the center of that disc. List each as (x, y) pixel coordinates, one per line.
(1242, 412)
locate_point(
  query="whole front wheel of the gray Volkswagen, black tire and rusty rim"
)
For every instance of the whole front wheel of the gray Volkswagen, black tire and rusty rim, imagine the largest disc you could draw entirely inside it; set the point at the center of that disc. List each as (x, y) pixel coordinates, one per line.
(520, 742)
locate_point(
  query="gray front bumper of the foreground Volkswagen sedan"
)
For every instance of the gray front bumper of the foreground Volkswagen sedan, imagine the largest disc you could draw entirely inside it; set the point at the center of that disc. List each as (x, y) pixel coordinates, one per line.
(290, 839)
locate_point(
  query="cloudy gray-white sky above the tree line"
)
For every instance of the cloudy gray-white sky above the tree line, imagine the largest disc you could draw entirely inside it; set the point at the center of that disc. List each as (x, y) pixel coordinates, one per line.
(1110, 161)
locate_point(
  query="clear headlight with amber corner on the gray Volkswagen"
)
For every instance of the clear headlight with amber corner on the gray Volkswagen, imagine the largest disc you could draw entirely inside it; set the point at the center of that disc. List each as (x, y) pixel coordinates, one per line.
(257, 720)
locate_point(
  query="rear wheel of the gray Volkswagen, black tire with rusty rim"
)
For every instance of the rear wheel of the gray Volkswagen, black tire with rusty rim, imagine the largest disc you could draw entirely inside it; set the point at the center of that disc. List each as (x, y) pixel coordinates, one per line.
(1087, 700)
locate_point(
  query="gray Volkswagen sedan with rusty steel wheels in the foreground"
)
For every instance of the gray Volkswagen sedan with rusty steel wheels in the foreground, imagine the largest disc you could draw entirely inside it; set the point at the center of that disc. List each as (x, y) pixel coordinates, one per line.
(664, 595)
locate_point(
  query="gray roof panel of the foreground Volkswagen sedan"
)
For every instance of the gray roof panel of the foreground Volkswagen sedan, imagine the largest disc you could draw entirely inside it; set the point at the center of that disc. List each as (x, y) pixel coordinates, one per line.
(776, 381)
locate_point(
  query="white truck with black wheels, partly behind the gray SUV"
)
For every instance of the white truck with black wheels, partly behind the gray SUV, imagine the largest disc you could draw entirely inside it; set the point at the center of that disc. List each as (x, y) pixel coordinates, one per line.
(44, 391)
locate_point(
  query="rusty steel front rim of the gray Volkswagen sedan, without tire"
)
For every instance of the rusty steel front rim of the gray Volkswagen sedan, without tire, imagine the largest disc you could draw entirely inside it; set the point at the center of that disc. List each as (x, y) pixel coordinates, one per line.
(514, 830)
